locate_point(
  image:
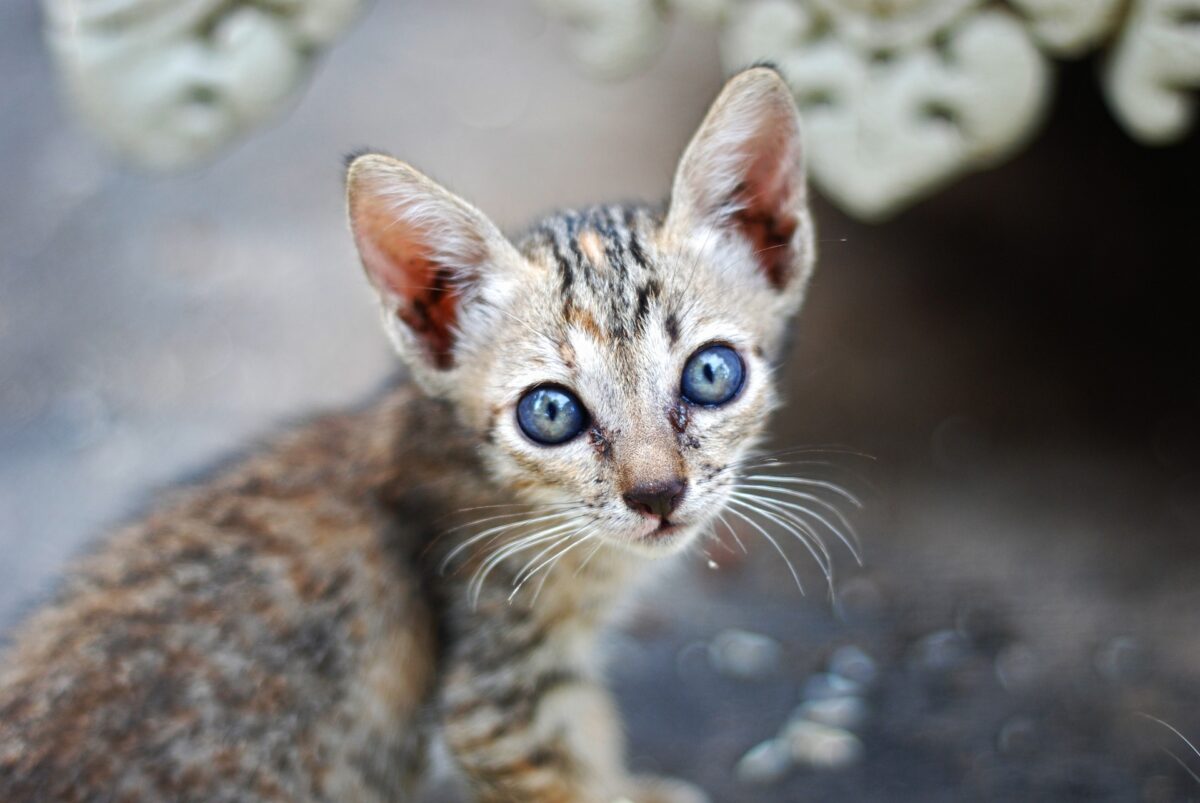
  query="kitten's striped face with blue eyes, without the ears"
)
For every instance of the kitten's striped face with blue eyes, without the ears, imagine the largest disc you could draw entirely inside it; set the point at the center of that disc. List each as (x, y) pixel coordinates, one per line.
(611, 335)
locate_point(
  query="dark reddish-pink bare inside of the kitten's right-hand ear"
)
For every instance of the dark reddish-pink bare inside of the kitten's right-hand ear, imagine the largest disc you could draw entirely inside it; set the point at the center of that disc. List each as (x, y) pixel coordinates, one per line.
(766, 213)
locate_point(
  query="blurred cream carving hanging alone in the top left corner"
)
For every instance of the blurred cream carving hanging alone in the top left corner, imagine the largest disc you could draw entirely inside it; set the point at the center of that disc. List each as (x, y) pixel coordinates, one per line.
(170, 82)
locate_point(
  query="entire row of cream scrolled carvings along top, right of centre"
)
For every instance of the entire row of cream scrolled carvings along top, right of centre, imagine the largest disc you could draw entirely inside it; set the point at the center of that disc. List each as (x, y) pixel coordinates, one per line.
(902, 97)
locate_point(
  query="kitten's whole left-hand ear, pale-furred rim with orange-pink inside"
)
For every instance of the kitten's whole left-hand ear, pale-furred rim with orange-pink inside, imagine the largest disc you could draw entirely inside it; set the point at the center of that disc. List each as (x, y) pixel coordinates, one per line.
(425, 251)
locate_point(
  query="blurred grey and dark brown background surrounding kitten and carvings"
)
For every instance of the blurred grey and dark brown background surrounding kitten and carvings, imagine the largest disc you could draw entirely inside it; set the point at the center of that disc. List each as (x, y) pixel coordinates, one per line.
(1017, 355)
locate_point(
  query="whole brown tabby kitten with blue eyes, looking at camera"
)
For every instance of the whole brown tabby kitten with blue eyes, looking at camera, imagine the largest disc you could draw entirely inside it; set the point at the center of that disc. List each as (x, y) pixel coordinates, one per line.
(442, 561)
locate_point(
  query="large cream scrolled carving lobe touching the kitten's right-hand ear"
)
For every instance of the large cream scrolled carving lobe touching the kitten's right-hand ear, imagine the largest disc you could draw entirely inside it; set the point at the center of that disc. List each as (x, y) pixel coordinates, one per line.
(889, 123)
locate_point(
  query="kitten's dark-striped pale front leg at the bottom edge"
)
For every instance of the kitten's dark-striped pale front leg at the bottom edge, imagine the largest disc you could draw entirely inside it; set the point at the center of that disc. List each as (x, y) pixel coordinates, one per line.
(539, 733)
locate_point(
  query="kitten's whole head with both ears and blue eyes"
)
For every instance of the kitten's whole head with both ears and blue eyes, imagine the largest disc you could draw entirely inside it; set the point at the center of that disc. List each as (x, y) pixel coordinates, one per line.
(615, 359)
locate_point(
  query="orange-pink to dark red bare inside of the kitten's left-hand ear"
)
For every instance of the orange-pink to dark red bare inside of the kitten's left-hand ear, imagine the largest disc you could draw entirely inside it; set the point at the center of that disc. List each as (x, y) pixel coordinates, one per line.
(400, 265)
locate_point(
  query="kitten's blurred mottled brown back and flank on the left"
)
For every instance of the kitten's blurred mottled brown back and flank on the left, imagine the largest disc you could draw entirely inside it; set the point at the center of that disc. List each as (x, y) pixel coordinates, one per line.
(262, 638)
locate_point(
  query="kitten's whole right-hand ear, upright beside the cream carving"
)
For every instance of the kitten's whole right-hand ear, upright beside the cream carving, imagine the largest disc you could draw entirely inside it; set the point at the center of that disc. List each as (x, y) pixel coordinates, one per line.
(743, 173)
